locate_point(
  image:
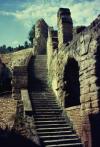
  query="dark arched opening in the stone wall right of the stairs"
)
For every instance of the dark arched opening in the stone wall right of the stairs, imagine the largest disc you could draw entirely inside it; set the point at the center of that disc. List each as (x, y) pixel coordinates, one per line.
(71, 83)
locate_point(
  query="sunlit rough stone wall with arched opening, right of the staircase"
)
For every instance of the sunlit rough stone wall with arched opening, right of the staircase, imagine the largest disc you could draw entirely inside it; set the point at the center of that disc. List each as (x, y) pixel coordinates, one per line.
(77, 64)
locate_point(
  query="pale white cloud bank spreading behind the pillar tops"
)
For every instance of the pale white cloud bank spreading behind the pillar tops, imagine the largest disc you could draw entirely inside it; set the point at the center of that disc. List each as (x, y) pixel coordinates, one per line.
(83, 12)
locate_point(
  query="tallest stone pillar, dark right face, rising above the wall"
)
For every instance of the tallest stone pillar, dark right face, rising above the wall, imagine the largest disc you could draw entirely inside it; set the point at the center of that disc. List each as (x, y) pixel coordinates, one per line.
(65, 26)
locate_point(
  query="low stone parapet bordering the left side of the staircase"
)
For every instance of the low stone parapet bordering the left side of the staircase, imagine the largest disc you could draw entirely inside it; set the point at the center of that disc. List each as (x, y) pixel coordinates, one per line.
(20, 94)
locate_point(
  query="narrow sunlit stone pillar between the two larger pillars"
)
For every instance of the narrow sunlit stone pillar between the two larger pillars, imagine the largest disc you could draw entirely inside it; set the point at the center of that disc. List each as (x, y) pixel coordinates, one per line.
(52, 44)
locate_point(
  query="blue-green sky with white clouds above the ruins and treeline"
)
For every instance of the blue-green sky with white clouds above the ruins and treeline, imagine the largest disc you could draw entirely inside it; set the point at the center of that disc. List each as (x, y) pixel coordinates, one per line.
(18, 16)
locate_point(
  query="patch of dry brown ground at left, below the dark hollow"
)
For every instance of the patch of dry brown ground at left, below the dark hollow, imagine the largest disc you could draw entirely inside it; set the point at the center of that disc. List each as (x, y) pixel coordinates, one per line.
(7, 111)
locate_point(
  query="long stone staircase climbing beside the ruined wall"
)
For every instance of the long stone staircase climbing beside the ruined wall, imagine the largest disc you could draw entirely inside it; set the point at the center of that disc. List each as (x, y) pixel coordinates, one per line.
(52, 127)
